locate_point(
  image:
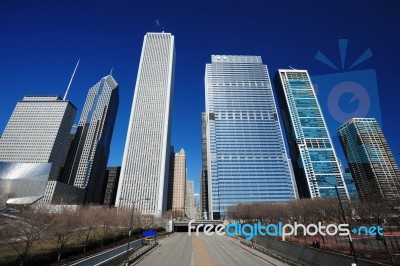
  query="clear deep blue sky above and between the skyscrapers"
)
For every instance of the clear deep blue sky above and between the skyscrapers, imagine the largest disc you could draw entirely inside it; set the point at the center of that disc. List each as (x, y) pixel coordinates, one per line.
(42, 40)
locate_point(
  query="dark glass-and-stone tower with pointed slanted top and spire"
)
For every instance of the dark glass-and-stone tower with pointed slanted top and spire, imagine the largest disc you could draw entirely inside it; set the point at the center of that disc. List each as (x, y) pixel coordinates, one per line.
(88, 155)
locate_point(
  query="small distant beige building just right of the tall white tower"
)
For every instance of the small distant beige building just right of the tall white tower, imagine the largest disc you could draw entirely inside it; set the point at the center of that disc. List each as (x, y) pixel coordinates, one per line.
(177, 182)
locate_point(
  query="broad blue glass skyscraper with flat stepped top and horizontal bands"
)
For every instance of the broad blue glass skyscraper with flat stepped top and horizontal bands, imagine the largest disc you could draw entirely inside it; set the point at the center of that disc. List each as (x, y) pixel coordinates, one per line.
(246, 156)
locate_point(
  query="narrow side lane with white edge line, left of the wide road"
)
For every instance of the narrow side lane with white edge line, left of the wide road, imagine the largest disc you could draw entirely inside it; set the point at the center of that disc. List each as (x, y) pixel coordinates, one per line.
(104, 256)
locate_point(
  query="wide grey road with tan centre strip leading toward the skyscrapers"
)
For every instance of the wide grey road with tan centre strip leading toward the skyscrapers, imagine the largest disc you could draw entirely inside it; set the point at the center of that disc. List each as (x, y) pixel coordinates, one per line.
(181, 249)
